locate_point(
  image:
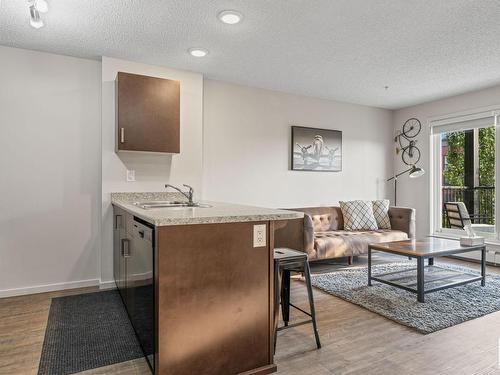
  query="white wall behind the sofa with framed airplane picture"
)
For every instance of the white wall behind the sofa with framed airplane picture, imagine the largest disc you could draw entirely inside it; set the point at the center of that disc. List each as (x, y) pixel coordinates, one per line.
(247, 148)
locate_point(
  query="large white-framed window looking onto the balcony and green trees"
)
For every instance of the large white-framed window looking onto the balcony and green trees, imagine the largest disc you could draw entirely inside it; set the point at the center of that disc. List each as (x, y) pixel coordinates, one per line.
(464, 154)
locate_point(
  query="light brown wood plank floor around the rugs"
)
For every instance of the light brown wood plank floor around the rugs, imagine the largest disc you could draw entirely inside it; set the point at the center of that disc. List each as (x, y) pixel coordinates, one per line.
(355, 340)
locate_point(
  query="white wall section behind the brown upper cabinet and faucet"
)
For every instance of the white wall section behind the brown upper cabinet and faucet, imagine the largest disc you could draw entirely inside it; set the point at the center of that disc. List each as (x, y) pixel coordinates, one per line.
(152, 170)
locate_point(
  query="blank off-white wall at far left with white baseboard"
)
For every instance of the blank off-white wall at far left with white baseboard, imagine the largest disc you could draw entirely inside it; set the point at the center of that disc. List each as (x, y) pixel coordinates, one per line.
(50, 165)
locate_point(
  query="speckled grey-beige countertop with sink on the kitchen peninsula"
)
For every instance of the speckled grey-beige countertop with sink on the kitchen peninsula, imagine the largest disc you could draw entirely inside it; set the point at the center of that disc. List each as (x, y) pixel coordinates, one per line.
(219, 212)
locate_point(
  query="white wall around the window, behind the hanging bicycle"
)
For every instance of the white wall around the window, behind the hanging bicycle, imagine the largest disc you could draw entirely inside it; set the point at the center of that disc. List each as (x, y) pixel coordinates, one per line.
(416, 192)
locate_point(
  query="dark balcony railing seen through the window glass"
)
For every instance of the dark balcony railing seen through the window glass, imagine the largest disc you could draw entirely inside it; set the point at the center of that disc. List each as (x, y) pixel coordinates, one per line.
(479, 200)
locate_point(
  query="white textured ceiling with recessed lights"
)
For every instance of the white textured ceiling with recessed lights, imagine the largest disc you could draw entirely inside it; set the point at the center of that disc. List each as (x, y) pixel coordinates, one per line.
(346, 50)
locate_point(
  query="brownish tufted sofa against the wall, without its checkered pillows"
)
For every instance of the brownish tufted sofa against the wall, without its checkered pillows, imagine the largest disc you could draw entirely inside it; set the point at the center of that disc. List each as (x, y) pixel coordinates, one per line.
(325, 238)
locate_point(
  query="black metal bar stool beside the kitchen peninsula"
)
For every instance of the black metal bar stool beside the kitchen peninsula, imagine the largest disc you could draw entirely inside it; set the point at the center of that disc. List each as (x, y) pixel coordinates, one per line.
(285, 261)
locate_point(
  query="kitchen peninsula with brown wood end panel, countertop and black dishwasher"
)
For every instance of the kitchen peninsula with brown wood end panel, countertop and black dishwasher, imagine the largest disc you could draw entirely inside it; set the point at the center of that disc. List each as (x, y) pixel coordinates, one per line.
(197, 282)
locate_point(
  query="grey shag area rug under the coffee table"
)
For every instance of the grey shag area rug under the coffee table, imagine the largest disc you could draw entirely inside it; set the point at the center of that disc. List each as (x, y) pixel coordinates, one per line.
(441, 309)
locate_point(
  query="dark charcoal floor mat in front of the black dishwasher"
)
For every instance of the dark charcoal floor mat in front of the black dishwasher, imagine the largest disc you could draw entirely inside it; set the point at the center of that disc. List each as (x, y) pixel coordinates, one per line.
(87, 331)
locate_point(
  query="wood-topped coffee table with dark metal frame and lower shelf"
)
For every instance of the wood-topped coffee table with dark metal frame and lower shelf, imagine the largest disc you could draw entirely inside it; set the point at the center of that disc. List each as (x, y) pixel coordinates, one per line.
(428, 248)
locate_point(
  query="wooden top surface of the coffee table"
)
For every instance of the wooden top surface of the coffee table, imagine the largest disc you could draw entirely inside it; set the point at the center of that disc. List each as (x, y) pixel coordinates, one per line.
(427, 247)
